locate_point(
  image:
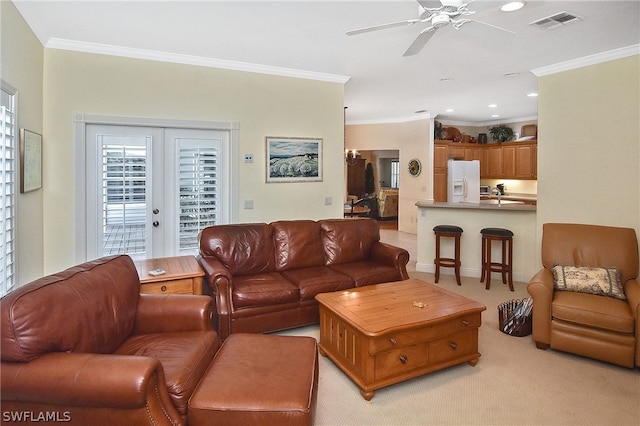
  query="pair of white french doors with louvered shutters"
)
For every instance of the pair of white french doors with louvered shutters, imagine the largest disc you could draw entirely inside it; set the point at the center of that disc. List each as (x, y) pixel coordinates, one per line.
(152, 190)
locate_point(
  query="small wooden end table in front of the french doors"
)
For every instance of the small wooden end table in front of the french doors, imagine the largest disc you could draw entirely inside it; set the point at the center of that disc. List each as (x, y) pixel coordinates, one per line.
(183, 275)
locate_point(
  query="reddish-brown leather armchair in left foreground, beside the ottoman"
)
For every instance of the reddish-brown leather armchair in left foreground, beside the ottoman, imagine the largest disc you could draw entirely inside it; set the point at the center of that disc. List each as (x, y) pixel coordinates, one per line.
(84, 347)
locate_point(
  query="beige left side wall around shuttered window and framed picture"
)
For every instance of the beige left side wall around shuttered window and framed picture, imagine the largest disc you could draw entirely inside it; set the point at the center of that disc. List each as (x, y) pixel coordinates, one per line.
(22, 68)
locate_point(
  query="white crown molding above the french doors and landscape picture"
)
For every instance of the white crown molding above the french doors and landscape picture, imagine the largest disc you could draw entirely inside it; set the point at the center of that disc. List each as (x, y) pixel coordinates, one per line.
(153, 55)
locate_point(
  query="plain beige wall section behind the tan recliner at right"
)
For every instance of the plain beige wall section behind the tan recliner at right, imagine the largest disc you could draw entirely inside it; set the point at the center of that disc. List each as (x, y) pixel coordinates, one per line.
(589, 145)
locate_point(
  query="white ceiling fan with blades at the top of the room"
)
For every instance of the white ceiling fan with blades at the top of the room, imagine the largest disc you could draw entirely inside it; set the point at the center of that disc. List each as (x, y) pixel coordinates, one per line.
(438, 14)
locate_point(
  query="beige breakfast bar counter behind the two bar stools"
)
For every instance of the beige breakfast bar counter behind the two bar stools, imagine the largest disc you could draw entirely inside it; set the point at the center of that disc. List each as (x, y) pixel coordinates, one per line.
(472, 217)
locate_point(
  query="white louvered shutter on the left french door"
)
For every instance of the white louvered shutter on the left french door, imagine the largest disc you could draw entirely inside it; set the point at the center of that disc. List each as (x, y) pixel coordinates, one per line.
(124, 196)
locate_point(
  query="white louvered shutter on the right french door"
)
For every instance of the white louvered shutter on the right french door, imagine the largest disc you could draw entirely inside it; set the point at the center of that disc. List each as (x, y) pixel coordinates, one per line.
(198, 170)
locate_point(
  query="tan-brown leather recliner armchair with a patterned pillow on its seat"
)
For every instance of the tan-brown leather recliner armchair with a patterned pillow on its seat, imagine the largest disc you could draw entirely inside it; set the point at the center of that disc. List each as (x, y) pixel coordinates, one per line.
(594, 326)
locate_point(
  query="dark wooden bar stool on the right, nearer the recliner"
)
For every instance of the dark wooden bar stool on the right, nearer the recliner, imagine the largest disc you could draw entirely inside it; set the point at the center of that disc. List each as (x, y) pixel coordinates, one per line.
(505, 237)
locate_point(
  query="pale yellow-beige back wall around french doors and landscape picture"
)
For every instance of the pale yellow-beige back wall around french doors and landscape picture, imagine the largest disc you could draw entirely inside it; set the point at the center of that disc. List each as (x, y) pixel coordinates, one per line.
(263, 105)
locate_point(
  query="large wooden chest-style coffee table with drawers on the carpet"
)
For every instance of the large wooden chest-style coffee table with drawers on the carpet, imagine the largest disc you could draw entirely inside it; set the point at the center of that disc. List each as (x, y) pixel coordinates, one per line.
(387, 333)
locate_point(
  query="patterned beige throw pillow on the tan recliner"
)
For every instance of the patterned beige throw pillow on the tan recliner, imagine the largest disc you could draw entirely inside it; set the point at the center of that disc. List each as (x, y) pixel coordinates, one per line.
(587, 279)
